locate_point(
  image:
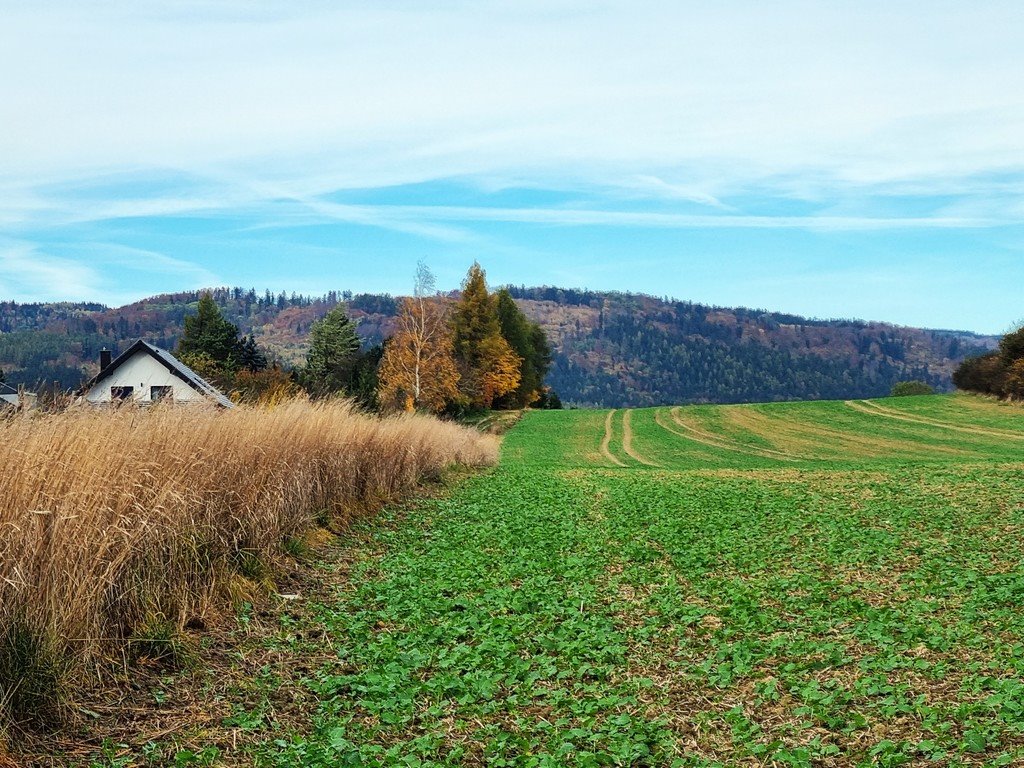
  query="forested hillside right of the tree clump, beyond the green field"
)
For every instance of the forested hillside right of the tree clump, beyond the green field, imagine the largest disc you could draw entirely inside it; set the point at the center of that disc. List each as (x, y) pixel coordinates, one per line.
(620, 350)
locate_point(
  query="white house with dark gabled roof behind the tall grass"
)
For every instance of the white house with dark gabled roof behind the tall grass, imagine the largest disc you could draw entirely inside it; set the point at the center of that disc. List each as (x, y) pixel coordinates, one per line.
(145, 374)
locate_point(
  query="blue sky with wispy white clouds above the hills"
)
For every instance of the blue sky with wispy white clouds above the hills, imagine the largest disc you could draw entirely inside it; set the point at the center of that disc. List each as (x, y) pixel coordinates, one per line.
(828, 159)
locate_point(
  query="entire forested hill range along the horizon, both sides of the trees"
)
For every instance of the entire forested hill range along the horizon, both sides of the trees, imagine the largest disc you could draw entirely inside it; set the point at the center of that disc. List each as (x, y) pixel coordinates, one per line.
(611, 350)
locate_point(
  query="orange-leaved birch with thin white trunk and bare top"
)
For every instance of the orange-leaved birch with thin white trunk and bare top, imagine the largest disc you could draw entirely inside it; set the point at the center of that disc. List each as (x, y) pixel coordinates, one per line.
(418, 369)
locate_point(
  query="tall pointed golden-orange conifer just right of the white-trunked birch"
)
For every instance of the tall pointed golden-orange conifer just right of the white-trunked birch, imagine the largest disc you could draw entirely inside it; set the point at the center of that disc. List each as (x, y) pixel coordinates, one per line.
(489, 366)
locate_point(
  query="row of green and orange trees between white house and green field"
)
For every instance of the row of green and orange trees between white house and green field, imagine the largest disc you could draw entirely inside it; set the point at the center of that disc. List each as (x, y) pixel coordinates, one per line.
(447, 357)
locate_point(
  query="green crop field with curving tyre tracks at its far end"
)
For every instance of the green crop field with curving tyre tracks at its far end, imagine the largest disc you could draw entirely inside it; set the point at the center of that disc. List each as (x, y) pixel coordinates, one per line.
(815, 584)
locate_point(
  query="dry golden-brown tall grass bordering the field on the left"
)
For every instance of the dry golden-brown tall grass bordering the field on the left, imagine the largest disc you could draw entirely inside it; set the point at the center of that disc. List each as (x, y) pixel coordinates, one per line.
(112, 523)
